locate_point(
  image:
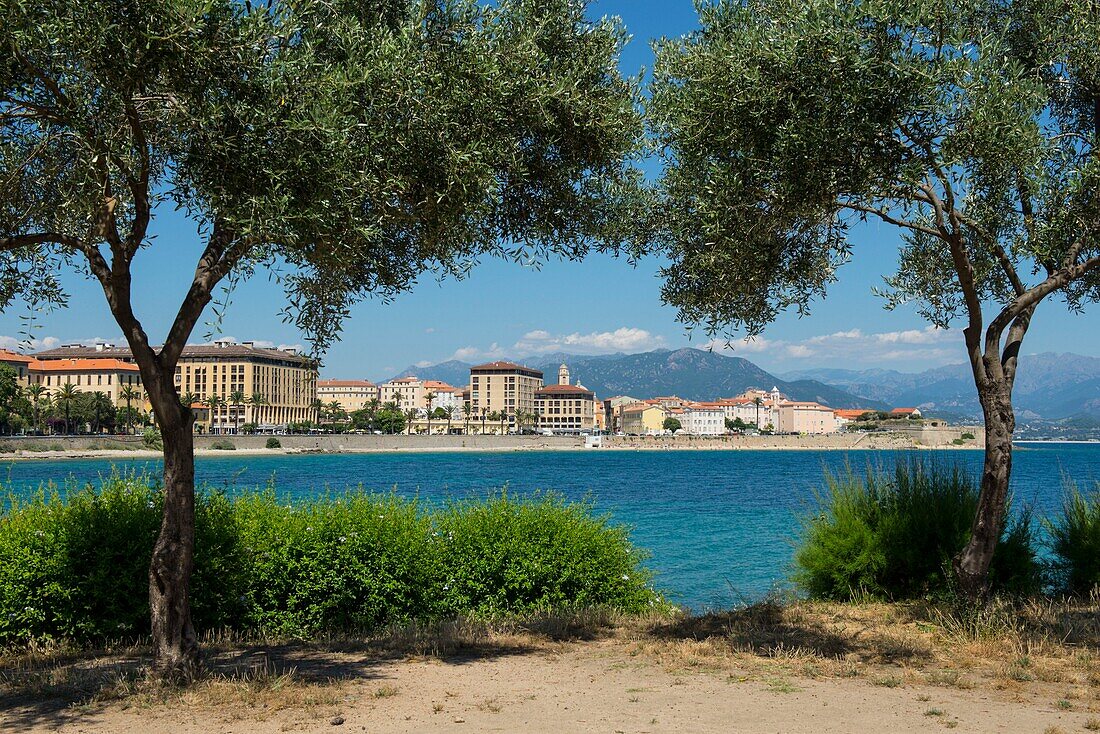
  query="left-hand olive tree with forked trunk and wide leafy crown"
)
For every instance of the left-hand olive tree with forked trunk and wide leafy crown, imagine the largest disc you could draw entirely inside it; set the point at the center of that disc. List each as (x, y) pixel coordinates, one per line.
(343, 147)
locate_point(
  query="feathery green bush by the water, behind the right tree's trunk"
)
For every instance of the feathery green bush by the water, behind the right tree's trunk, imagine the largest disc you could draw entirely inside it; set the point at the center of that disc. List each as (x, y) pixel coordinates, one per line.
(895, 536)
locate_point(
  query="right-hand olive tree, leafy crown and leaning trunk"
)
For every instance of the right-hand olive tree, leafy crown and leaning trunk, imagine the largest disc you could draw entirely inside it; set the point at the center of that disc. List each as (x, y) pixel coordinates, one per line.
(971, 126)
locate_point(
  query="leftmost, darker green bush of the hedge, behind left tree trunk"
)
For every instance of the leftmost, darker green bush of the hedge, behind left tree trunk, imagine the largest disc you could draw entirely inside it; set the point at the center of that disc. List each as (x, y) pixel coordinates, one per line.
(75, 564)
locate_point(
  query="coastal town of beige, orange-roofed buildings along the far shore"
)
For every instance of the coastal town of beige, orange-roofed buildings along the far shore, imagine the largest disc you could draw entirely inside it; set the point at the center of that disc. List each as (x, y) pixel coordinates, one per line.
(241, 388)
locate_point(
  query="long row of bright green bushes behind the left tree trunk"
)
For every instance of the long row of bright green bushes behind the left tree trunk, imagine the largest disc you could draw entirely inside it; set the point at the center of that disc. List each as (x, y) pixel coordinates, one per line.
(74, 565)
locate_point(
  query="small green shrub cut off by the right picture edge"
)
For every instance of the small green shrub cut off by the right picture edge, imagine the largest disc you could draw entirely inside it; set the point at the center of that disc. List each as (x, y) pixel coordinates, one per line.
(1075, 542)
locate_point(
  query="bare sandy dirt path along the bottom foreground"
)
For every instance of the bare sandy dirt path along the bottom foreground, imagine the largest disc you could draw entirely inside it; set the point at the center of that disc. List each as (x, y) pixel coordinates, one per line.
(603, 686)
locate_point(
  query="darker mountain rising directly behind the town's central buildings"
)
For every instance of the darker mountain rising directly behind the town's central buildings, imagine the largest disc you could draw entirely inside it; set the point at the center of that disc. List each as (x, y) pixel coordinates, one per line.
(691, 374)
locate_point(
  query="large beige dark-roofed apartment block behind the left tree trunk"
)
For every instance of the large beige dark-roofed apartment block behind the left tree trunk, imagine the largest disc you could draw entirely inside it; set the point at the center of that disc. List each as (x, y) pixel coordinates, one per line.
(284, 381)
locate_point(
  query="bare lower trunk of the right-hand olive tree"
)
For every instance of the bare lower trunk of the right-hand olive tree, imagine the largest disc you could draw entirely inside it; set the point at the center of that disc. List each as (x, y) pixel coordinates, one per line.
(973, 564)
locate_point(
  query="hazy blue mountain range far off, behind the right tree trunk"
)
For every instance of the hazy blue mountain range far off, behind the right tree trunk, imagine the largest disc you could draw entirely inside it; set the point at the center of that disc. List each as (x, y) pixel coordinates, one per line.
(1049, 387)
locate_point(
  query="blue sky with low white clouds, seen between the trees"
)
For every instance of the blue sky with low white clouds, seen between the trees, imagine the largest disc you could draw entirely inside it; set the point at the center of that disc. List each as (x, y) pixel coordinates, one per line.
(601, 305)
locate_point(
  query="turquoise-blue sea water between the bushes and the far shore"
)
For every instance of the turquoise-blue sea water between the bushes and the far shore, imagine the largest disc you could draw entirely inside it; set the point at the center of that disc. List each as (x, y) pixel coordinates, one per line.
(720, 524)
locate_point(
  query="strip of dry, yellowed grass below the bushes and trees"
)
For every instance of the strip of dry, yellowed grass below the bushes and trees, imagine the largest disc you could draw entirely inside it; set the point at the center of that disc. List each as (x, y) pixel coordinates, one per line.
(1043, 649)
